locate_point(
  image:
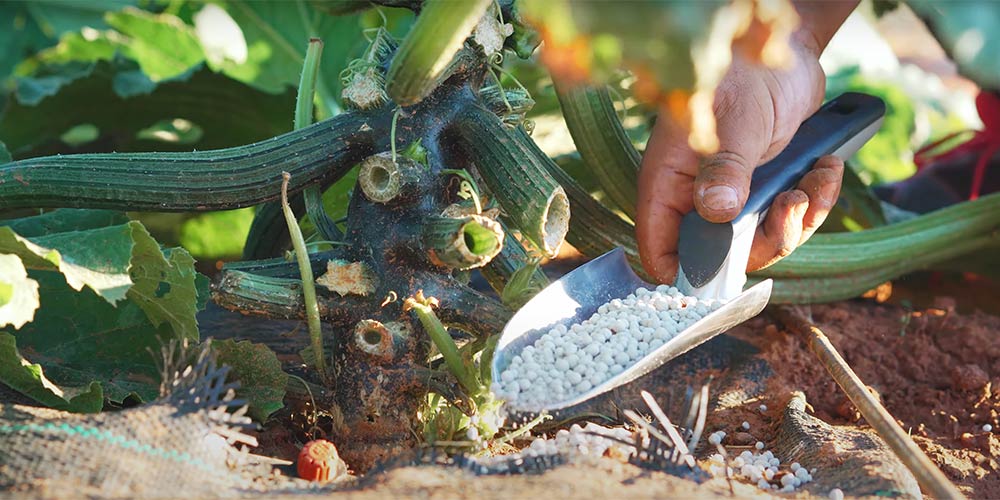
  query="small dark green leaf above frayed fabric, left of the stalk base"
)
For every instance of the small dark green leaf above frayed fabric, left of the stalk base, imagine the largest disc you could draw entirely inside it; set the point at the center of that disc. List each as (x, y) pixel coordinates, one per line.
(257, 368)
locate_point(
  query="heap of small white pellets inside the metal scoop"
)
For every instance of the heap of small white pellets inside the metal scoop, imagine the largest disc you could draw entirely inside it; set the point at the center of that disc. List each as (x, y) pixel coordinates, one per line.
(566, 362)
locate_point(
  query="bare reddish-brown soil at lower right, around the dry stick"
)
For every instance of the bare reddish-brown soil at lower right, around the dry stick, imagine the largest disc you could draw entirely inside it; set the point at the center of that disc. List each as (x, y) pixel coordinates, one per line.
(936, 371)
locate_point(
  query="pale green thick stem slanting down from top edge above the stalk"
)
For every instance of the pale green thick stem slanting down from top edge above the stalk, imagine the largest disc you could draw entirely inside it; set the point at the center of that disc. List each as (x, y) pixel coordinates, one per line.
(428, 49)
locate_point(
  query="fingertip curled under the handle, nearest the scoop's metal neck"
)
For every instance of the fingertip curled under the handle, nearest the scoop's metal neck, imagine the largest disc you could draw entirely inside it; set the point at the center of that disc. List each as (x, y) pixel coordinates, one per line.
(781, 231)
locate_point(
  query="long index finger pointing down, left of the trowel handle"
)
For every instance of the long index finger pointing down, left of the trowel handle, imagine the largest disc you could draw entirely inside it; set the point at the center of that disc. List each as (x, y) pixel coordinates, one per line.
(665, 195)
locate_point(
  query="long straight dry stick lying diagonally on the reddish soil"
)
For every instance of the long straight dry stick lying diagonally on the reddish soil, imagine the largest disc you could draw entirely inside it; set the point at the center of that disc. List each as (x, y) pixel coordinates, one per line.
(928, 475)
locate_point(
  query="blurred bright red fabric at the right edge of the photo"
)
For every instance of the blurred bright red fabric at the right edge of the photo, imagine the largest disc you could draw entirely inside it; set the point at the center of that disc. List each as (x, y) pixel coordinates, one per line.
(985, 142)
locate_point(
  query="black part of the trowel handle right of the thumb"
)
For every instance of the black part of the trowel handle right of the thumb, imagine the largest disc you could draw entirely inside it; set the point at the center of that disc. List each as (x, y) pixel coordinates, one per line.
(839, 128)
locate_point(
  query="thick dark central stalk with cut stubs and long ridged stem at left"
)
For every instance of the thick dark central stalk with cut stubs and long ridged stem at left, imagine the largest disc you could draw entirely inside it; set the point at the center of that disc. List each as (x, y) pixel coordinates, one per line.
(447, 177)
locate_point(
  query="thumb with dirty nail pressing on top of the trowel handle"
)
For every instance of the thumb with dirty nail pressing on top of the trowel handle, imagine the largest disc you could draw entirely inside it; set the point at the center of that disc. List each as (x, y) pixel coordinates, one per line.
(745, 125)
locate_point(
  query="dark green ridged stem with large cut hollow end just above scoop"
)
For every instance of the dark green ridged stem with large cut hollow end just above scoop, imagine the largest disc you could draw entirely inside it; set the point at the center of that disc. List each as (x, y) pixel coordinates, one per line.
(515, 171)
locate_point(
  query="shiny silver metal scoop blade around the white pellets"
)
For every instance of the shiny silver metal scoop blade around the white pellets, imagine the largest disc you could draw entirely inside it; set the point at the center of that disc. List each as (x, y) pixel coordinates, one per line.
(577, 295)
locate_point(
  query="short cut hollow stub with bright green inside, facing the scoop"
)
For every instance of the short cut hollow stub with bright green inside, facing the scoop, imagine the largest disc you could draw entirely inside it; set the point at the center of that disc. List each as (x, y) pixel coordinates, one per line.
(462, 242)
